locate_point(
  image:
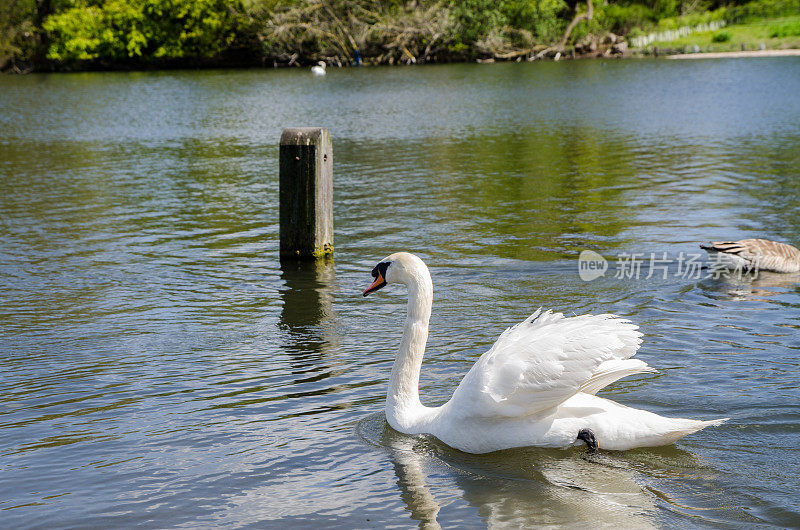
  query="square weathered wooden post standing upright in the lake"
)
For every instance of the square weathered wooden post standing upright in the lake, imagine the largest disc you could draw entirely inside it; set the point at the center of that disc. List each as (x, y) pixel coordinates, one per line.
(306, 193)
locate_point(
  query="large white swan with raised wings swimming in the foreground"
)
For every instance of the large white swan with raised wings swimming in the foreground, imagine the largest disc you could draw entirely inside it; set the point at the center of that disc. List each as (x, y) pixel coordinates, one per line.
(535, 386)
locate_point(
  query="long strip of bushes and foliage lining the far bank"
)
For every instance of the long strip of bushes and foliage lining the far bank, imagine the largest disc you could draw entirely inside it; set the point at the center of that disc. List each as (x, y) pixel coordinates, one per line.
(118, 33)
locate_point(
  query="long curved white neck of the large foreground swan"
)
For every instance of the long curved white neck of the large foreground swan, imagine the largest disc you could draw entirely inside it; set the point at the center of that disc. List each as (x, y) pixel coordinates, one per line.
(403, 408)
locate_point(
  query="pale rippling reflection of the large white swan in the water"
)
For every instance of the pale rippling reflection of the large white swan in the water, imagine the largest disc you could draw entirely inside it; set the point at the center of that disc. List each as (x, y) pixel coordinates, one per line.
(521, 487)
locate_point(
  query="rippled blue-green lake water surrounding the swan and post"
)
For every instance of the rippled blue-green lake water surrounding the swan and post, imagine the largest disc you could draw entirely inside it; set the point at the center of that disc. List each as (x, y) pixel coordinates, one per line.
(161, 367)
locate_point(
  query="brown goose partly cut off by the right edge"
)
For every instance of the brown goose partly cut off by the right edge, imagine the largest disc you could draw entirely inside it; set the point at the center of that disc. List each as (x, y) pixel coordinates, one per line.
(755, 254)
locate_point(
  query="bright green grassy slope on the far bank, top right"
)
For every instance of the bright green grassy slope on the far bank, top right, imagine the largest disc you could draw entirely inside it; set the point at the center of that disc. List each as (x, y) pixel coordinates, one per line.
(775, 34)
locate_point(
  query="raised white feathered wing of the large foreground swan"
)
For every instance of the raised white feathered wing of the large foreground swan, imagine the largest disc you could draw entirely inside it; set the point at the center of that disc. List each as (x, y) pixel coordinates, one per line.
(544, 360)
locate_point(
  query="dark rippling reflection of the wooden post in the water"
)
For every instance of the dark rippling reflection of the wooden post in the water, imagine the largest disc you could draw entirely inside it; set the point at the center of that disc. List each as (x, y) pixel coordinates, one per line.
(307, 315)
